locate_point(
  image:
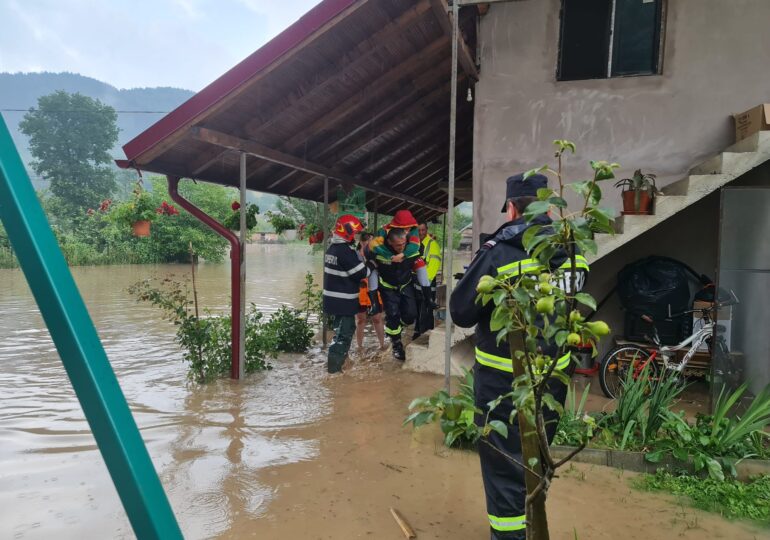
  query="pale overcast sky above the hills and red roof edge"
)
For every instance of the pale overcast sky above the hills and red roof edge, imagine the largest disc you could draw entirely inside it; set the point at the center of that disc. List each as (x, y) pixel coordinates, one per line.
(139, 43)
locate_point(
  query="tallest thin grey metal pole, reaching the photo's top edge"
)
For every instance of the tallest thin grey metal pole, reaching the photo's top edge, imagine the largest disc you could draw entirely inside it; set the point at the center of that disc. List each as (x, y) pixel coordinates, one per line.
(451, 202)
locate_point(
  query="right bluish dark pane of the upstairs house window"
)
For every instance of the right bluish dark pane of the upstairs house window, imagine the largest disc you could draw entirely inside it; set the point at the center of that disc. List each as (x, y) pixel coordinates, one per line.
(636, 37)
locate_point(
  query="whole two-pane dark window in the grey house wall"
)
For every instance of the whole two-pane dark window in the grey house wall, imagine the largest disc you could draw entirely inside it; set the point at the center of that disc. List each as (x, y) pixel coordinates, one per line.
(609, 38)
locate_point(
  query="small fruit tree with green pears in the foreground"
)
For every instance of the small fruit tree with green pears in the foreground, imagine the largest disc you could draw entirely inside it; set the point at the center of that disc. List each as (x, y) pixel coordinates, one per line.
(538, 313)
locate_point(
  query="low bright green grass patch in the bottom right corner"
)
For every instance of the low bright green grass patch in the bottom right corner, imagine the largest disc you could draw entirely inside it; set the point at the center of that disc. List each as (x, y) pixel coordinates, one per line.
(730, 498)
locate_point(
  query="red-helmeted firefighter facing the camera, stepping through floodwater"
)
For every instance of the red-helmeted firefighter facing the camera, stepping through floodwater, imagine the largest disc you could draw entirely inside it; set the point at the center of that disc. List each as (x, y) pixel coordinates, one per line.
(393, 278)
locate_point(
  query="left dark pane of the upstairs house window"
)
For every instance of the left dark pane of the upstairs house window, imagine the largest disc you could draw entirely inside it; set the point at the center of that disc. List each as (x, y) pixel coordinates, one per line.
(585, 39)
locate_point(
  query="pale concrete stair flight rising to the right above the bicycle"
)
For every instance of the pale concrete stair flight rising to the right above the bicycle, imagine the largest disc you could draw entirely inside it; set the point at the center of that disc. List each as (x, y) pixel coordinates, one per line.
(702, 180)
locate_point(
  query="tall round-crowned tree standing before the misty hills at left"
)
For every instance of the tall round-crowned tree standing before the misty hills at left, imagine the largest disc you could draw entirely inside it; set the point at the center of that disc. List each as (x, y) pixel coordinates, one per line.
(70, 136)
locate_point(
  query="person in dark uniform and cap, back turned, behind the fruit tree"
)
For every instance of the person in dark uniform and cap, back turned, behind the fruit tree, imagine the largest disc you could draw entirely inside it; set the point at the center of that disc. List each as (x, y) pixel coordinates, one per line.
(504, 254)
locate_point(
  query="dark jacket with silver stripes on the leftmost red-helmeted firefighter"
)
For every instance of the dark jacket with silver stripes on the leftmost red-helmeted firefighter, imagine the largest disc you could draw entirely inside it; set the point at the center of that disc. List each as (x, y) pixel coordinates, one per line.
(343, 271)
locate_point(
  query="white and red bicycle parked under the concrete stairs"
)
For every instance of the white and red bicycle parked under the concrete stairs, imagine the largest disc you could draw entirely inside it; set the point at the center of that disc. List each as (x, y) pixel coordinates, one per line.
(614, 367)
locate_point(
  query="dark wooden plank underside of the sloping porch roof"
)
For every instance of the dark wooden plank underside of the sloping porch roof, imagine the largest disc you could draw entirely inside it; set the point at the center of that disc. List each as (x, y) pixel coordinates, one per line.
(369, 100)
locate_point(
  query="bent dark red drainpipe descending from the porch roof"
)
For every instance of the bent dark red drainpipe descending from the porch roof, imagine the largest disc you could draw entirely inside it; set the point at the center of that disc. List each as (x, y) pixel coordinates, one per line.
(235, 268)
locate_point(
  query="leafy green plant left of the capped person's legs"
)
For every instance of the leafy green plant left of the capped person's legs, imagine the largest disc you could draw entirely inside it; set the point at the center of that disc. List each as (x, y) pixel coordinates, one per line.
(454, 413)
